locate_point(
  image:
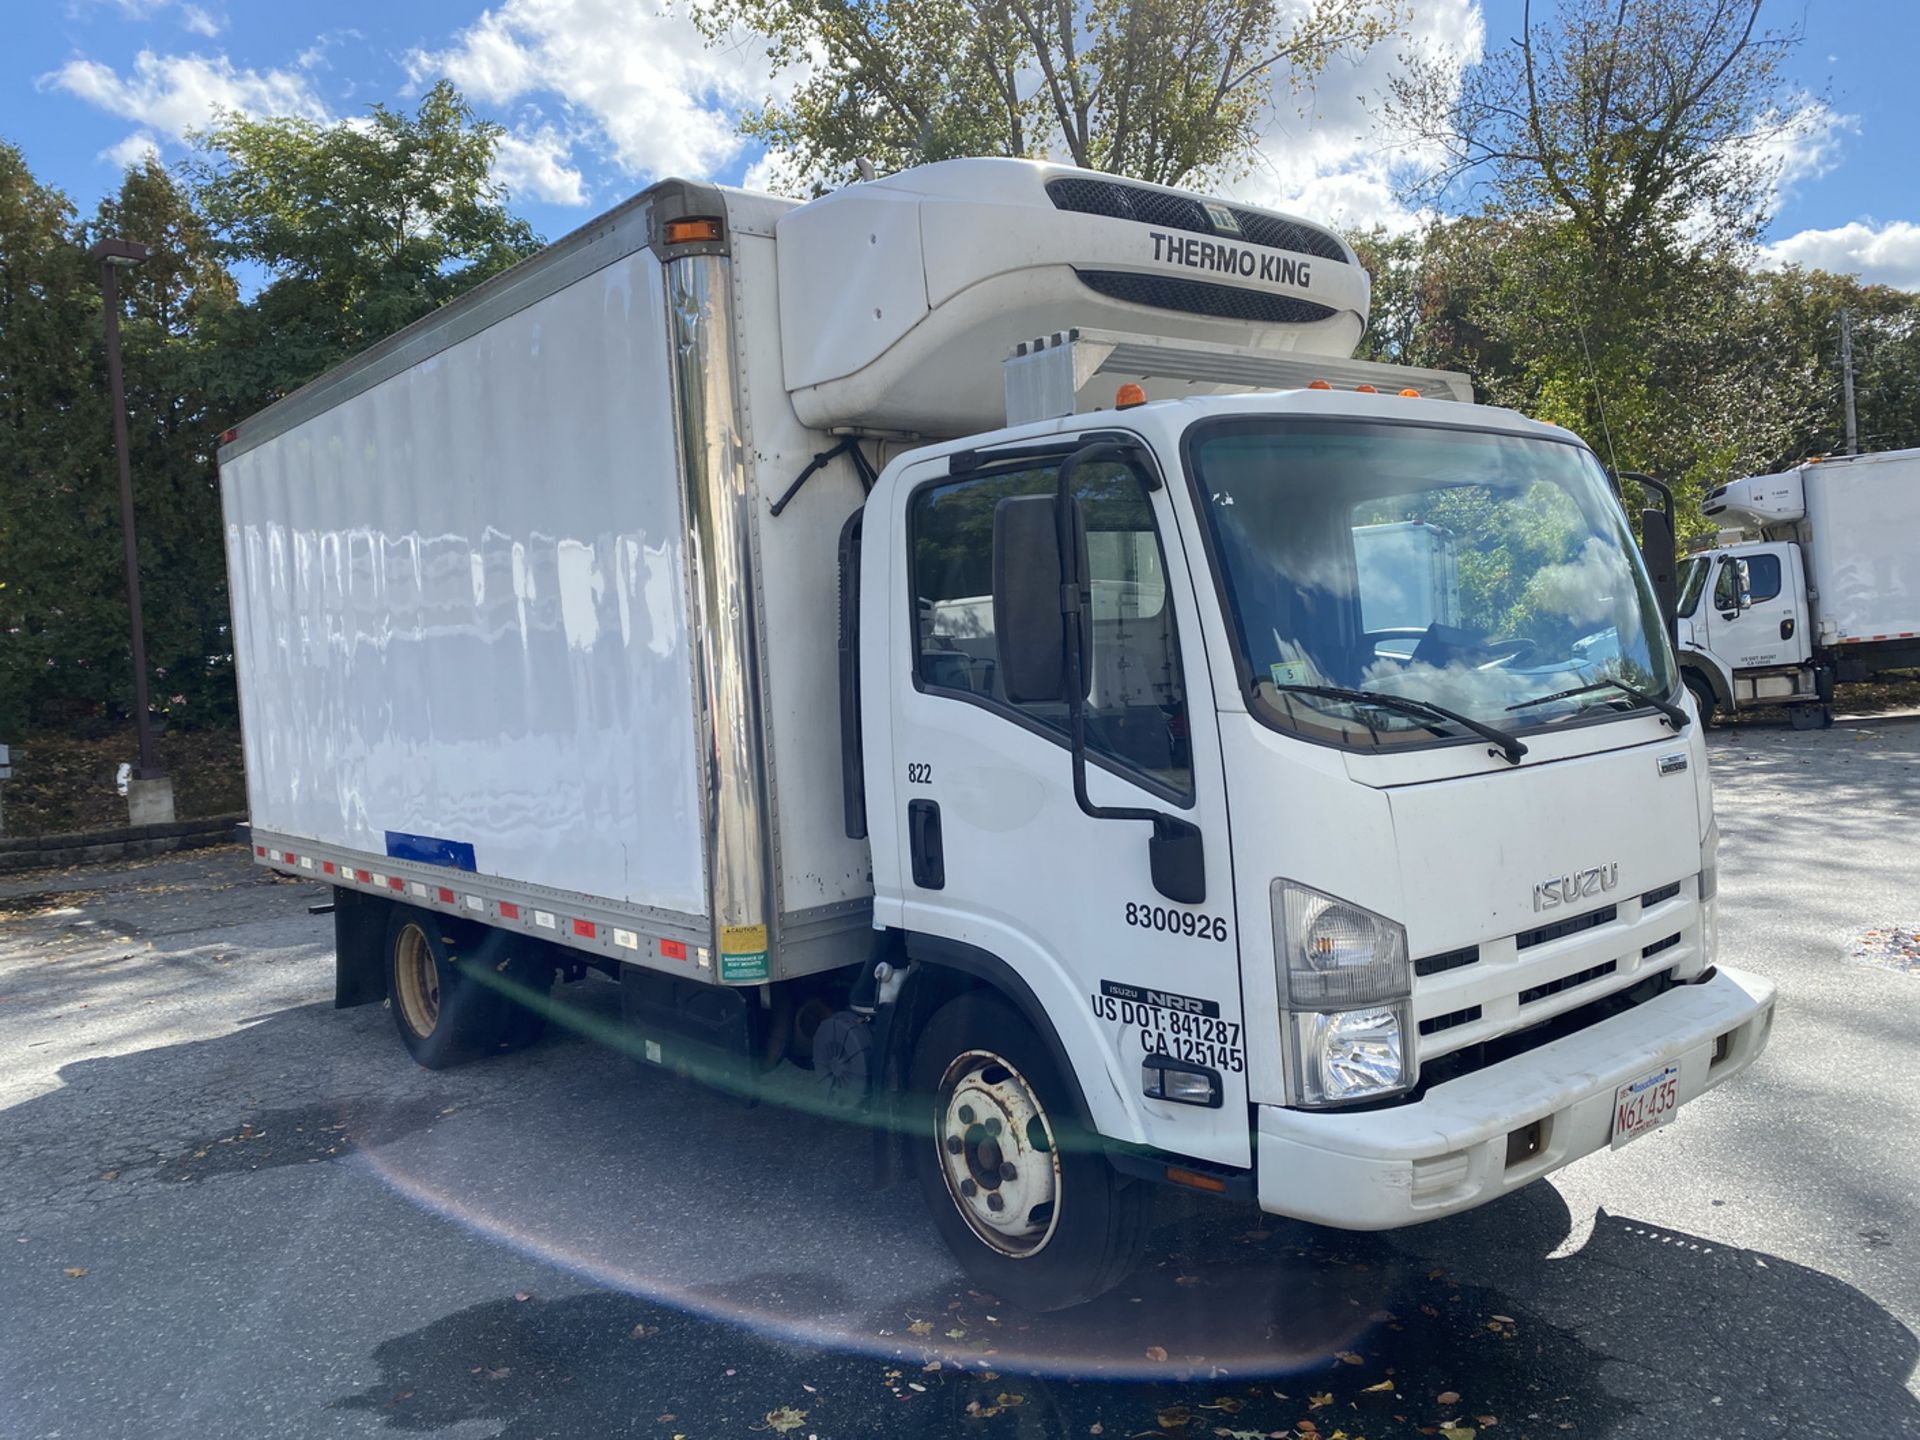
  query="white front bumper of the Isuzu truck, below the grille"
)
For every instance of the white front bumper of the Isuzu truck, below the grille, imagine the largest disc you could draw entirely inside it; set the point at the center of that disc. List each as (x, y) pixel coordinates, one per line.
(1451, 1151)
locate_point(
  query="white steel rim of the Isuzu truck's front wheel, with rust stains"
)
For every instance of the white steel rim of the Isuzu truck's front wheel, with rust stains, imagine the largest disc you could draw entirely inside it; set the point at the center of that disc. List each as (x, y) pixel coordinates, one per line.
(997, 1155)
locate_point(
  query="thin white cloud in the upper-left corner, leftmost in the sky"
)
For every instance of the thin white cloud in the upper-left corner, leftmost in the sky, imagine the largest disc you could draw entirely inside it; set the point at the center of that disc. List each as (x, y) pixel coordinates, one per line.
(174, 95)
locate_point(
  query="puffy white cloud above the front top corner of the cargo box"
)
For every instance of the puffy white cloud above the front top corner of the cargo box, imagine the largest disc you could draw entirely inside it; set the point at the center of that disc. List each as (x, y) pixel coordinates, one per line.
(658, 95)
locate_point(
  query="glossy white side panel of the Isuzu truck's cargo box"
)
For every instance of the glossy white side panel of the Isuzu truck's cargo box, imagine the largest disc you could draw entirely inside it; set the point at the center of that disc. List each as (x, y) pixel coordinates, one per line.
(460, 606)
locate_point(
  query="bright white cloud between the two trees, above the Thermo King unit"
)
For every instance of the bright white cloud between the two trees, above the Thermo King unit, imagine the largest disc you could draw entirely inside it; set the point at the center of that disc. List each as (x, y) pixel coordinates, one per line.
(1333, 156)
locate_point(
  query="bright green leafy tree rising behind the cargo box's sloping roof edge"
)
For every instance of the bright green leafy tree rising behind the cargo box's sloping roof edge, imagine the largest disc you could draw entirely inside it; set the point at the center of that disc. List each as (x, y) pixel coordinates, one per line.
(360, 229)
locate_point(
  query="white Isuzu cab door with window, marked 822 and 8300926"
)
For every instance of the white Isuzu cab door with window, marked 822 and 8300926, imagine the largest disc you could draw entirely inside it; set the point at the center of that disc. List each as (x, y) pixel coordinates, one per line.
(997, 855)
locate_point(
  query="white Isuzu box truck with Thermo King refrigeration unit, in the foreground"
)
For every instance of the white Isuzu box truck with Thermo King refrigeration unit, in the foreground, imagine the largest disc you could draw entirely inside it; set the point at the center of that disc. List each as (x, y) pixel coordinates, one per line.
(919, 635)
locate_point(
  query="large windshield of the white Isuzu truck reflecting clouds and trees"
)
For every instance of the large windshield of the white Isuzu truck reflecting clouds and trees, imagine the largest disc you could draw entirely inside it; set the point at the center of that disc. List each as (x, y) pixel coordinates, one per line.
(1477, 571)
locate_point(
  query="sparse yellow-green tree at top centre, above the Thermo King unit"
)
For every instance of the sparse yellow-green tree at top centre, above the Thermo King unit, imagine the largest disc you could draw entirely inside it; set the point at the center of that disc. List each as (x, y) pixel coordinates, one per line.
(1163, 91)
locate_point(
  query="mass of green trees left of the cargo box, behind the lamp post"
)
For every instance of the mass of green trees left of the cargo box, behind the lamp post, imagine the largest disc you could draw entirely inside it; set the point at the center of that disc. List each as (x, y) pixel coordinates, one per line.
(352, 229)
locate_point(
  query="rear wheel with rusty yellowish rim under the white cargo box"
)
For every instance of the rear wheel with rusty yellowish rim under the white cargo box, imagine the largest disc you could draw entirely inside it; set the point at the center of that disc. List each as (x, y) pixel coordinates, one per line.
(444, 1013)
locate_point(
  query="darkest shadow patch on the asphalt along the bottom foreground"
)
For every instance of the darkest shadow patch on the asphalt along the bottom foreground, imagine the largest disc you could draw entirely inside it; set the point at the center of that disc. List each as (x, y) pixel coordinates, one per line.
(1347, 1335)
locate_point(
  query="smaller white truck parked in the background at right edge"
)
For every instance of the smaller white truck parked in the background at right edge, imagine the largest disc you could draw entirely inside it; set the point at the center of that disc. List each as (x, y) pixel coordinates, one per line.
(1823, 585)
